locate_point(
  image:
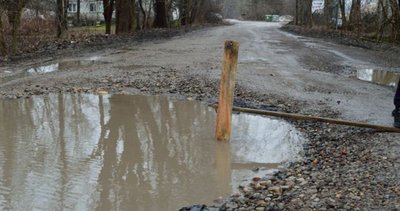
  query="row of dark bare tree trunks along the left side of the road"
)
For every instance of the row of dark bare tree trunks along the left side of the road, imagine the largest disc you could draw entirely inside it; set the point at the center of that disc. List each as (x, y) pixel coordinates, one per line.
(130, 15)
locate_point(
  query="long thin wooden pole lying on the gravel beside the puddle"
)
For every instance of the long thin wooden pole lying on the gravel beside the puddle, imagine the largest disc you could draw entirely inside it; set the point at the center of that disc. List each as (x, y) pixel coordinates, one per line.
(317, 119)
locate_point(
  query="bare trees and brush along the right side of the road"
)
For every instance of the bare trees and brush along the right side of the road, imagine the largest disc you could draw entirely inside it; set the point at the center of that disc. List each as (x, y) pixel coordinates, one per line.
(373, 19)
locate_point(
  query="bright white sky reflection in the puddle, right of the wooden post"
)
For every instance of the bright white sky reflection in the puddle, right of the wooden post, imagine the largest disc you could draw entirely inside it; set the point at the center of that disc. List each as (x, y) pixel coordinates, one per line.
(251, 131)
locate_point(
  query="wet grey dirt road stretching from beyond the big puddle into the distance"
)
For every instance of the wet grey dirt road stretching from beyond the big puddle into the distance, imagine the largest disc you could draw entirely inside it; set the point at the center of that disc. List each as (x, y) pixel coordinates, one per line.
(319, 74)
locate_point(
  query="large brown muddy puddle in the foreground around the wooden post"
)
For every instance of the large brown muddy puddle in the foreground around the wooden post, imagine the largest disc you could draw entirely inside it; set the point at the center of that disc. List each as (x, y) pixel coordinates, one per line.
(119, 152)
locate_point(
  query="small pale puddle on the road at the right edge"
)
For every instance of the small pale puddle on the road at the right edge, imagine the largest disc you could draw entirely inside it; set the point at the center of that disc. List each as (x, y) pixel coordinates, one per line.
(381, 77)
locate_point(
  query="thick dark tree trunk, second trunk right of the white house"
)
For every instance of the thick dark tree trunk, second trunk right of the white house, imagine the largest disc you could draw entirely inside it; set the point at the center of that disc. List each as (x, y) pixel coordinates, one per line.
(124, 16)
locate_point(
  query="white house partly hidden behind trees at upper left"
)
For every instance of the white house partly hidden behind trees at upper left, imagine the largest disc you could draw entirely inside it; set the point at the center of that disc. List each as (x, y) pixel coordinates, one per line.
(90, 10)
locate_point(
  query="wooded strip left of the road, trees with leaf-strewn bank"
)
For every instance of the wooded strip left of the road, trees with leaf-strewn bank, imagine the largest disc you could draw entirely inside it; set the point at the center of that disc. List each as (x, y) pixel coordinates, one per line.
(27, 24)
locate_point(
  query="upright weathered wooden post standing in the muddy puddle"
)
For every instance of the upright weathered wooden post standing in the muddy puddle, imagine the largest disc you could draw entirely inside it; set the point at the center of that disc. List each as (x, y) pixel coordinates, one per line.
(227, 88)
